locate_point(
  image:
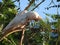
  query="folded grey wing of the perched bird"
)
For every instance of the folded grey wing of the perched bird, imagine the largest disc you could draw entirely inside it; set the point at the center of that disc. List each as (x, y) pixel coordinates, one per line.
(18, 19)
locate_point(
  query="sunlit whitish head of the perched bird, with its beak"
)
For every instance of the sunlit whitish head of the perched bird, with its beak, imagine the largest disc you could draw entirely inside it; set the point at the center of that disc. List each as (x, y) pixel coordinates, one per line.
(32, 15)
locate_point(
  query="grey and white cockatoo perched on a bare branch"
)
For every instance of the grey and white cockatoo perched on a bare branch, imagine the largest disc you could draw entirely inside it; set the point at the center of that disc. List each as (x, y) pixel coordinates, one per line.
(21, 20)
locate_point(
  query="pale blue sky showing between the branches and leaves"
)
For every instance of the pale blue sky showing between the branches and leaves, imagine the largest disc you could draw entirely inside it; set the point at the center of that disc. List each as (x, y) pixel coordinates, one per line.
(41, 8)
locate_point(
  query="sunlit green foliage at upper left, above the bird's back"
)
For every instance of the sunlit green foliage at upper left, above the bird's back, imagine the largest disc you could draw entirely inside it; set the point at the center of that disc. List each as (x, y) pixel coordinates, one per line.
(7, 12)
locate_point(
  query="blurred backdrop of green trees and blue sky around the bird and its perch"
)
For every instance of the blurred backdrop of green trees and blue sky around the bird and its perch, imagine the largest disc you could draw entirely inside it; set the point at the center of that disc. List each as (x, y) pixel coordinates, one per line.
(43, 32)
